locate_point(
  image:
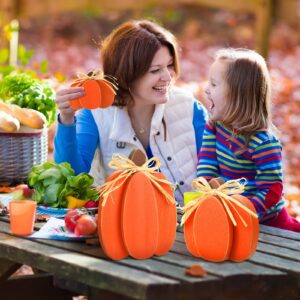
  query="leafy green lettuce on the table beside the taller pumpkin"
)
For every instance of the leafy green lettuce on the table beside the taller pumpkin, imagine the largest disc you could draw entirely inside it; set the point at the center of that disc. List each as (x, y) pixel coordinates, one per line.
(53, 182)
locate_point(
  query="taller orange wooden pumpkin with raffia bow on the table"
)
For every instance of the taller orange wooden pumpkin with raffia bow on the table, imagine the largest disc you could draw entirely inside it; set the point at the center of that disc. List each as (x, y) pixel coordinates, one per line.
(137, 211)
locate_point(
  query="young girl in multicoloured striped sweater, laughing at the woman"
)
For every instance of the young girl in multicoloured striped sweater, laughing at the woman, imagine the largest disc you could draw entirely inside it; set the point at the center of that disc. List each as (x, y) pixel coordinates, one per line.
(239, 139)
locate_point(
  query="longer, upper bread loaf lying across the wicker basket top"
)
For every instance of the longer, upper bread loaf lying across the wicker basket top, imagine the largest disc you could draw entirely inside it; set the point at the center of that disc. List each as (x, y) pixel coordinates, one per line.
(28, 117)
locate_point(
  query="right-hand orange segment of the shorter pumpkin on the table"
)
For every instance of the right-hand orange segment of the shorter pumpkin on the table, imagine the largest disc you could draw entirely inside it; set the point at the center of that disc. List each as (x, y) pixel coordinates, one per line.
(244, 238)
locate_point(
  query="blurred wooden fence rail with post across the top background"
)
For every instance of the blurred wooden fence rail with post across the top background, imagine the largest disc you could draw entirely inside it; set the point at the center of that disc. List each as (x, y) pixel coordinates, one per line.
(265, 11)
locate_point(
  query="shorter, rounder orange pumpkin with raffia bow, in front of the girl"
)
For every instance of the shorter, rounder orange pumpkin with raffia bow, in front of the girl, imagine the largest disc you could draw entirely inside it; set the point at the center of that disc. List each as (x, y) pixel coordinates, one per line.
(219, 223)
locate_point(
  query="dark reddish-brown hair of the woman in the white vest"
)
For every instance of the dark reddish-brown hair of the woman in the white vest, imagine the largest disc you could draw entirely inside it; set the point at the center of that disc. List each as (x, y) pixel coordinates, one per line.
(128, 51)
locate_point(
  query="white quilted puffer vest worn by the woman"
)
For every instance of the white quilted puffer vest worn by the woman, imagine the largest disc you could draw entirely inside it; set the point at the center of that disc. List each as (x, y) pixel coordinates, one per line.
(172, 139)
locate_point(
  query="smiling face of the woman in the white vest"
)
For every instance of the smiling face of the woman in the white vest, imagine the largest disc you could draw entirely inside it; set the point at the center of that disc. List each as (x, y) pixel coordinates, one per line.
(153, 87)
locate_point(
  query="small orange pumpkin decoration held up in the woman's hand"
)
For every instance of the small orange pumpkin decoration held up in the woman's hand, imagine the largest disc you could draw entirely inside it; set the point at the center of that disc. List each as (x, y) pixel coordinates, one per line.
(99, 92)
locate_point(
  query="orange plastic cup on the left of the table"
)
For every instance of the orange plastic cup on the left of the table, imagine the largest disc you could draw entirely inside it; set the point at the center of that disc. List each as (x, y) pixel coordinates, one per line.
(22, 216)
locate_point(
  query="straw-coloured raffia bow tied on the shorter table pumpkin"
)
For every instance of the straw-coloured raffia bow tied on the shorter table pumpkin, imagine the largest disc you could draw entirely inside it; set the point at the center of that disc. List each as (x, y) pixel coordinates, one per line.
(231, 187)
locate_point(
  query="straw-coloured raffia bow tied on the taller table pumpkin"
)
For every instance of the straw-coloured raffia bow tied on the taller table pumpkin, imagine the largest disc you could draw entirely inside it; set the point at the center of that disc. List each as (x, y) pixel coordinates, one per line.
(128, 168)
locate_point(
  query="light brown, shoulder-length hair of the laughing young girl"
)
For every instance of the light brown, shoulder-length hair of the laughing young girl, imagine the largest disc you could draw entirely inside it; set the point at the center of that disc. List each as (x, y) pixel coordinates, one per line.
(248, 107)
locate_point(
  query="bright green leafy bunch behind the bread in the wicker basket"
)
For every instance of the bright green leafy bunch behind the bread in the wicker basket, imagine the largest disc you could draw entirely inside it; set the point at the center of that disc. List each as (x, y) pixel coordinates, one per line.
(26, 91)
